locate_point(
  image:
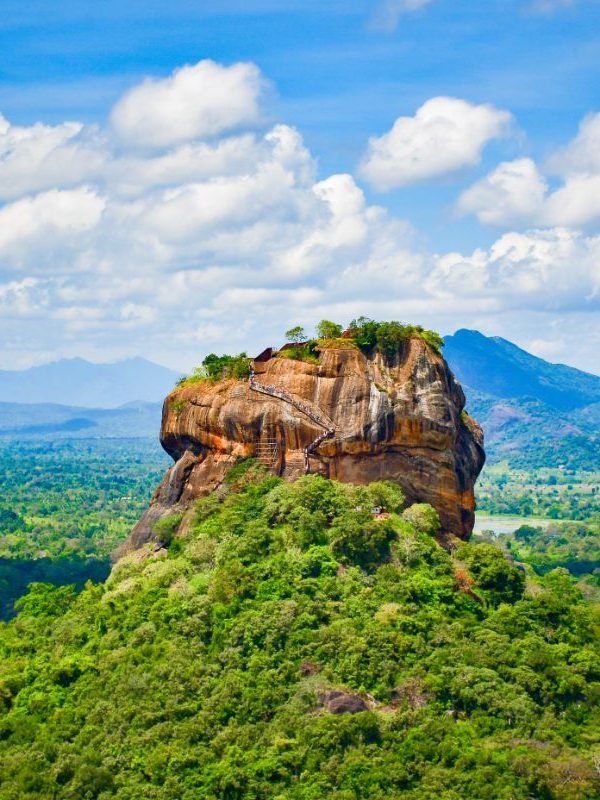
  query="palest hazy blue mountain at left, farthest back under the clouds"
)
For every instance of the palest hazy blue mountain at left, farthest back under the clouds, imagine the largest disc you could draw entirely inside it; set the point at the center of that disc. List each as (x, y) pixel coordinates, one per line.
(77, 382)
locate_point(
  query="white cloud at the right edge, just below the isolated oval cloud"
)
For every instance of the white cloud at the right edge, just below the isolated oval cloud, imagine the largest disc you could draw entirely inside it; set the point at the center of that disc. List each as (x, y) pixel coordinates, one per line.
(517, 192)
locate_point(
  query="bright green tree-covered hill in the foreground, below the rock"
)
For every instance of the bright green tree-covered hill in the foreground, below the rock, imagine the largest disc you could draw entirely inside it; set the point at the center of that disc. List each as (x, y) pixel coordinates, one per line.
(292, 643)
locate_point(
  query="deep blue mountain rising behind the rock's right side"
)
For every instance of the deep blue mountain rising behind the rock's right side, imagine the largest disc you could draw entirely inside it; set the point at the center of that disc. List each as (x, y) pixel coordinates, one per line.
(533, 413)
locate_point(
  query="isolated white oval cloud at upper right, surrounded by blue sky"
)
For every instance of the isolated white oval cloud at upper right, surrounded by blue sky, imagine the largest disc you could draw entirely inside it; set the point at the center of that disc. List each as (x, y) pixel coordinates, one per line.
(445, 135)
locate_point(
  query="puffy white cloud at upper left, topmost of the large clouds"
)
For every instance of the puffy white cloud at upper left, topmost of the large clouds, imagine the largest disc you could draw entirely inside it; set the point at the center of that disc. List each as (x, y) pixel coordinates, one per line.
(195, 102)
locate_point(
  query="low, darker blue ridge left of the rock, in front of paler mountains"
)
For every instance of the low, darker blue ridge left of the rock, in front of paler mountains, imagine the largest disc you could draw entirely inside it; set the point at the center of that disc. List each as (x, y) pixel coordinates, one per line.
(47, 420)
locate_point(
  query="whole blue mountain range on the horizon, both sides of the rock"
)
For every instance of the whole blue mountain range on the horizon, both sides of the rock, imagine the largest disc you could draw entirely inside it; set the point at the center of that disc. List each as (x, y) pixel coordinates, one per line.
(533, 413)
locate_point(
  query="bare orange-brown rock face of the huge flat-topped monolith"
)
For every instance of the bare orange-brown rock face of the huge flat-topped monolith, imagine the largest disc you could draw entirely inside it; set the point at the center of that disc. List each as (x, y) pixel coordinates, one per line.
(352, 418)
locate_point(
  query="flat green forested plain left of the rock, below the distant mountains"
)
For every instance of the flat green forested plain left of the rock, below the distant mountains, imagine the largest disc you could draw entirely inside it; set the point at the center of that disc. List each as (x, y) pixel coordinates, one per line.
(66, 505)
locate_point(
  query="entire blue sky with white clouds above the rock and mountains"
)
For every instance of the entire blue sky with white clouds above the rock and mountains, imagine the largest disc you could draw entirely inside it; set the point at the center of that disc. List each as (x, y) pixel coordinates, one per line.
(191, 177)
